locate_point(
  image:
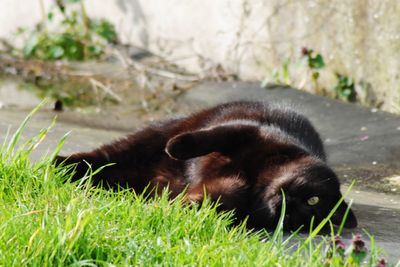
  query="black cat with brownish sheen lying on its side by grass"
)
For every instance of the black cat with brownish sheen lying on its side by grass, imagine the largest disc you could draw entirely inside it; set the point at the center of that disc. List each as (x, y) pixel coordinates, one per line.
(243, 154)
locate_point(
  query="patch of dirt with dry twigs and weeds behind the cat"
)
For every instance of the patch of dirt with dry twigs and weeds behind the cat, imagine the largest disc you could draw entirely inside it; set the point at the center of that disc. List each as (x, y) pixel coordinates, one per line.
(118, 87)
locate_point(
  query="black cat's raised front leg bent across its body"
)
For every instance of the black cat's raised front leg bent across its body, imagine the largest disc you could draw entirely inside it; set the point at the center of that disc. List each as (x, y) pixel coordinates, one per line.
(225, 139)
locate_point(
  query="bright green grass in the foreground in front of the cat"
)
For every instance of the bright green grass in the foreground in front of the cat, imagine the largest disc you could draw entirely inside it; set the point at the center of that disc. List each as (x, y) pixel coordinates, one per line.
(46, 222)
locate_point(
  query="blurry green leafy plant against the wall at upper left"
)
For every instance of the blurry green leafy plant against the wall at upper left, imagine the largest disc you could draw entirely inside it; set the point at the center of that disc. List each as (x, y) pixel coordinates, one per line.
(68, 33)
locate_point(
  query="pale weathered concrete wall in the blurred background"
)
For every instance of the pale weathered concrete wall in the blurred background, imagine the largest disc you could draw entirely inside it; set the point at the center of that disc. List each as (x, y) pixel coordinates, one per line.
(359, 38)
